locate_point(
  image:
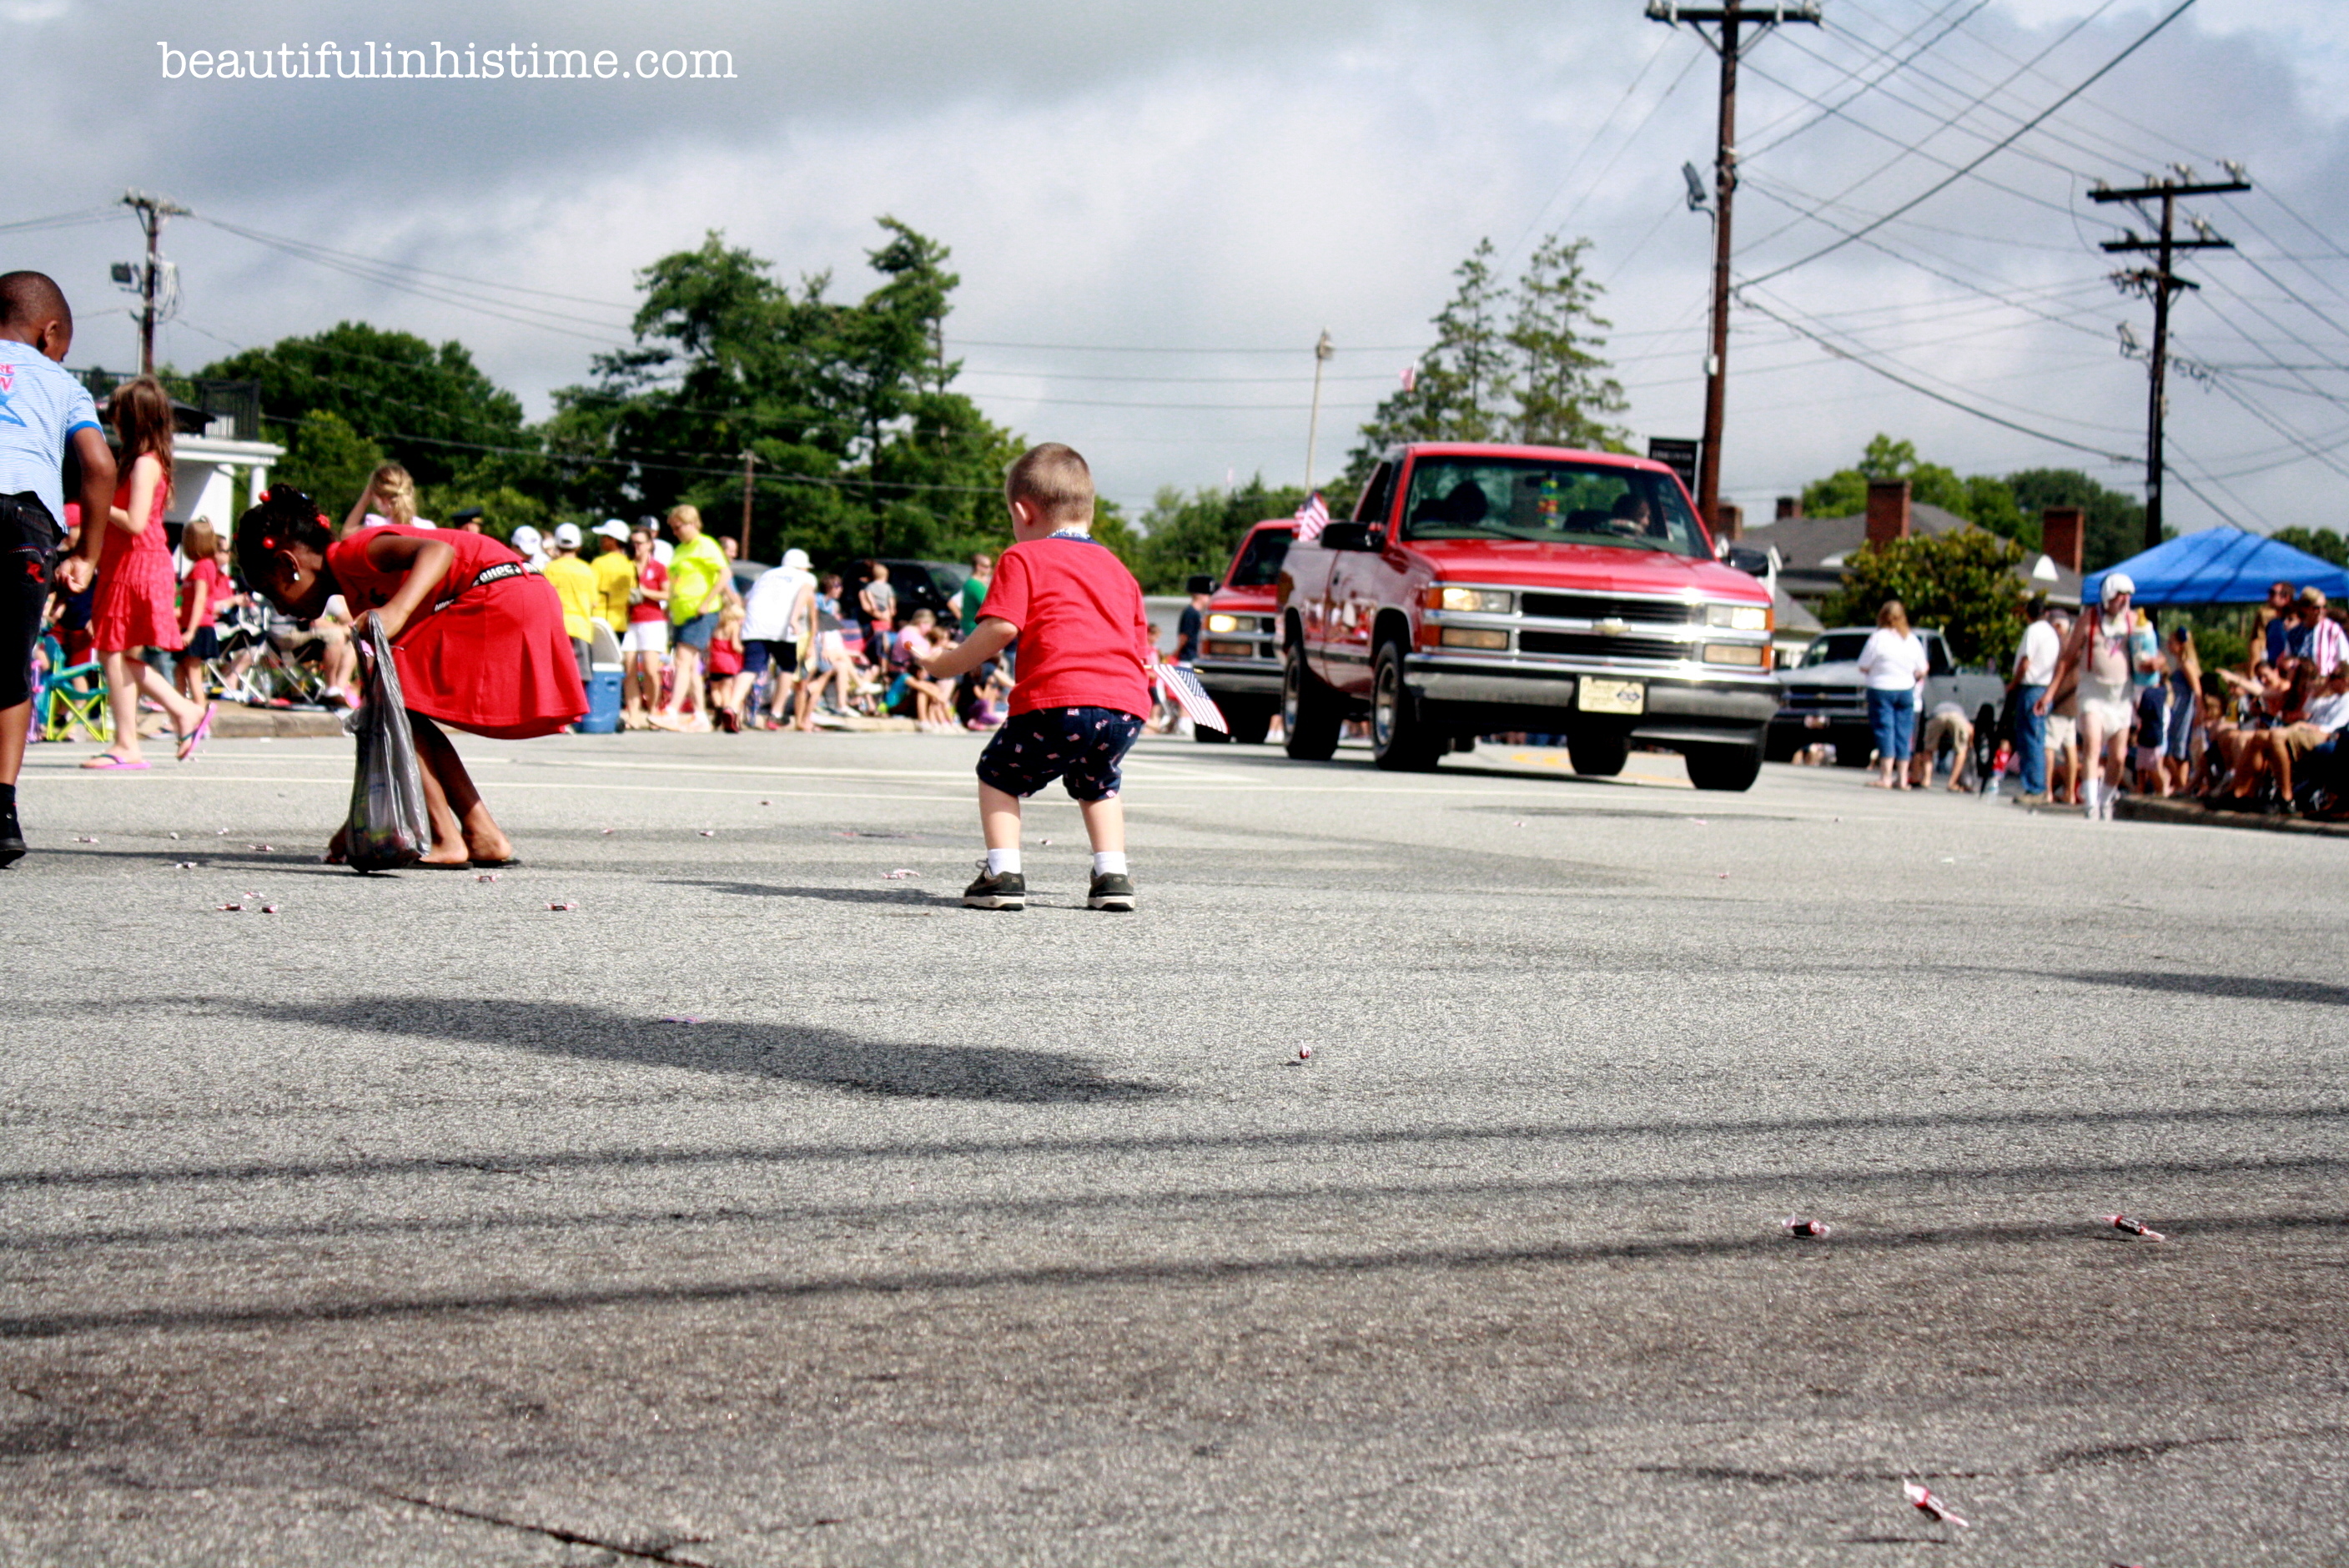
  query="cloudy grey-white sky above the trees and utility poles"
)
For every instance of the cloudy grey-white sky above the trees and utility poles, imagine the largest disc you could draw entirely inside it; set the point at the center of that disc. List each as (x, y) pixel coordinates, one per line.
(1159, 208)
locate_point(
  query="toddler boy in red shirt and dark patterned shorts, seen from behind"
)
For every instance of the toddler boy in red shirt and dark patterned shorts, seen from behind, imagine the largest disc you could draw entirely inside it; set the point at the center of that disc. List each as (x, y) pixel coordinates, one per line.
(1084, 677)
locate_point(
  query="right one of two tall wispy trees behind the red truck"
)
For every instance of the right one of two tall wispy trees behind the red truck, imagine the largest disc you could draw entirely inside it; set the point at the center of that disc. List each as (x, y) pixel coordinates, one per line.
(1559, 377)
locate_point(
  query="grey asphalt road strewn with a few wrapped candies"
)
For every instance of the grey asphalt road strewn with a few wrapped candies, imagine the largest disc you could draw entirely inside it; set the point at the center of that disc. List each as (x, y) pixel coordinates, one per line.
(403, 1226)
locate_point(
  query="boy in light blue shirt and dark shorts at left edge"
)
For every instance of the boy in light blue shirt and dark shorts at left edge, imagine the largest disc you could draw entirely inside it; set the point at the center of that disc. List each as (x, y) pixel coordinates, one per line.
(43, 417)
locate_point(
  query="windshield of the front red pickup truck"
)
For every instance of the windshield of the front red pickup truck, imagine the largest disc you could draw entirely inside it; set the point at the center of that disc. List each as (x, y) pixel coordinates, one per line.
(1566, 503)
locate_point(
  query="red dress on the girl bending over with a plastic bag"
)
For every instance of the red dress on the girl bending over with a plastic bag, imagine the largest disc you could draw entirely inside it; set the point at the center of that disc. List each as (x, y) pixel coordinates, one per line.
(490, 658)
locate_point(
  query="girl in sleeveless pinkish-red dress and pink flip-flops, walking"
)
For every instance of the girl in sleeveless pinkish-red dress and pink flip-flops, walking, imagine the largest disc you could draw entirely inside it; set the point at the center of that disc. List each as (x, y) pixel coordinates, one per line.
(135, 607)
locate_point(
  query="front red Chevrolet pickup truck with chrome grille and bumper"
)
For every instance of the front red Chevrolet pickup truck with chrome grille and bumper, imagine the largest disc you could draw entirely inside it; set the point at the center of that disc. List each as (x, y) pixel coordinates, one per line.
(1526, 588)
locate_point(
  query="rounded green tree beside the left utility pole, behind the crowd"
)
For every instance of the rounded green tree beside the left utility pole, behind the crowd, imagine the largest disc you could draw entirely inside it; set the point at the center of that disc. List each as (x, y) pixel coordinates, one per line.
(426, 407)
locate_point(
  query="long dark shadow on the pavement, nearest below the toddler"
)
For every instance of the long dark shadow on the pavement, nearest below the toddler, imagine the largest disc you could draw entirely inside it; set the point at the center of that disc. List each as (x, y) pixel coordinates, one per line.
(823, 1057)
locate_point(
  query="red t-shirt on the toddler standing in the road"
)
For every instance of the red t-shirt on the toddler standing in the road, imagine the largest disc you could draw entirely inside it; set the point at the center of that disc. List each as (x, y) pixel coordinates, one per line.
(1084, 640)
